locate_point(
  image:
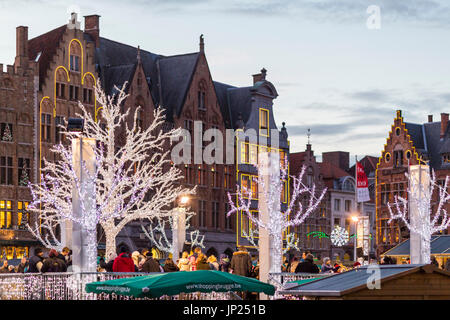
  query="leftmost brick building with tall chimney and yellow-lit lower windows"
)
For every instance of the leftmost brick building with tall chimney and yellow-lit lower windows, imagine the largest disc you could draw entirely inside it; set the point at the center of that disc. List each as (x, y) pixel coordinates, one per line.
(17, 152)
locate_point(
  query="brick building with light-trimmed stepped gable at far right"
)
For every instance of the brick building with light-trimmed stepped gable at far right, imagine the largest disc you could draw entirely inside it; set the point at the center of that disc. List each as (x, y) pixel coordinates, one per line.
(407, 143)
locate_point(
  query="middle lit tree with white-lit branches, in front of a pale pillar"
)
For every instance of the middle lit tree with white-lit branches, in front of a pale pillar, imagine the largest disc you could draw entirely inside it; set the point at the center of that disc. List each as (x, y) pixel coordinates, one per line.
(279, 221)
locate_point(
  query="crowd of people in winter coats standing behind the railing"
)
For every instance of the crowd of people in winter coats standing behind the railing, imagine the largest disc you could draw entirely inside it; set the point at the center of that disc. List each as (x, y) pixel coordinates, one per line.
(241, 263)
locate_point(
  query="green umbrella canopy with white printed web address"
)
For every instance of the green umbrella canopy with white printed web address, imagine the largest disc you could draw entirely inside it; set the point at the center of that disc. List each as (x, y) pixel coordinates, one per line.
(172, 283)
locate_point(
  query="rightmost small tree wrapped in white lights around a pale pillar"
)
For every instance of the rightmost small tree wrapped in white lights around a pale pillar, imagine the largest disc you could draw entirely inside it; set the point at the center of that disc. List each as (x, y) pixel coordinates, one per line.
(417, 214)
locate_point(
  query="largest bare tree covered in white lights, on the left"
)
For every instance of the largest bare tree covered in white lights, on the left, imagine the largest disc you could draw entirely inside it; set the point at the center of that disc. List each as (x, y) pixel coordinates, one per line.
(125, 174)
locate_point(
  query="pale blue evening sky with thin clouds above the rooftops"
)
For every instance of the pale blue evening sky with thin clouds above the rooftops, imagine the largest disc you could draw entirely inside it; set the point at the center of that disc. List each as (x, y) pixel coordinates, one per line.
(332, 73)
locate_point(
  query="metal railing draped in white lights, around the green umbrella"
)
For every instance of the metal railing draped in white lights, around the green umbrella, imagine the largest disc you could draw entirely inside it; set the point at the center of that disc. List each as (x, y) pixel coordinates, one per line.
(71, 286)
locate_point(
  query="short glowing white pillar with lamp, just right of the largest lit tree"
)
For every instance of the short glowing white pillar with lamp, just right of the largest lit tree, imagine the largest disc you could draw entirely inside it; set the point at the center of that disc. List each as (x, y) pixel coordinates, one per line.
(179, 227)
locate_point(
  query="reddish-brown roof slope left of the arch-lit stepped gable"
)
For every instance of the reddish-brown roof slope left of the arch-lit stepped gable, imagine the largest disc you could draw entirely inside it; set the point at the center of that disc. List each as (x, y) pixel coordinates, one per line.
(46, 44)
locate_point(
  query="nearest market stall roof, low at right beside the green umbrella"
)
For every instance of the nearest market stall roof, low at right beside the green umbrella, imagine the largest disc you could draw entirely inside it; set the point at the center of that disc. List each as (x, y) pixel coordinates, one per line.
(354, 280)
